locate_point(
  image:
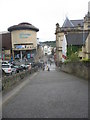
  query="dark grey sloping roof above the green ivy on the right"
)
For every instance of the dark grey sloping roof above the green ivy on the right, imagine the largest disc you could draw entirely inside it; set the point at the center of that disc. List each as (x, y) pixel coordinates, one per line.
(76, 38)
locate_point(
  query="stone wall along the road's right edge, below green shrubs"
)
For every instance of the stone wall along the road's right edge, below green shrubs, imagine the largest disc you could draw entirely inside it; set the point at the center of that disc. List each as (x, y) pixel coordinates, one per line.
(80, 69)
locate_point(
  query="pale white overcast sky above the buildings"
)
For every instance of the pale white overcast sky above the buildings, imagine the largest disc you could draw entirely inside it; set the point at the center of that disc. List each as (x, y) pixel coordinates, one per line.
(43, 14)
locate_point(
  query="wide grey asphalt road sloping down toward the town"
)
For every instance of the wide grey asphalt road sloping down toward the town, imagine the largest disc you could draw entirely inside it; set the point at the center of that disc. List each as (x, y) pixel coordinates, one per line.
(51, 94)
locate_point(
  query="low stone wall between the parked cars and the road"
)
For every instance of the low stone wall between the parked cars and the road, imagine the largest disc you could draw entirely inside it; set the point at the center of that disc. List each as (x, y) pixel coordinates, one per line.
(9, 82)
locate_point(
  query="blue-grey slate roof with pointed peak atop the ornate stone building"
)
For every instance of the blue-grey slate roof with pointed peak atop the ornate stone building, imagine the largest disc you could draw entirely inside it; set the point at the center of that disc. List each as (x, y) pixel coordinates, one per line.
(72, 23)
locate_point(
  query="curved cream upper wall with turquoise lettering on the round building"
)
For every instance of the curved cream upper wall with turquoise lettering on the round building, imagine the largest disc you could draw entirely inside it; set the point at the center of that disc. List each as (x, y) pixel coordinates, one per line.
(24, 36)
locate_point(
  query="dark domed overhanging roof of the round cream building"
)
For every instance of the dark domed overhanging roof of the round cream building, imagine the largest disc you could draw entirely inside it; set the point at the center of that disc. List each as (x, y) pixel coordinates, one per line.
(23, 26)
